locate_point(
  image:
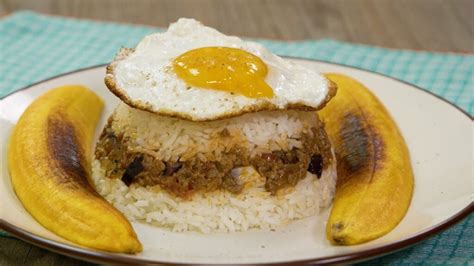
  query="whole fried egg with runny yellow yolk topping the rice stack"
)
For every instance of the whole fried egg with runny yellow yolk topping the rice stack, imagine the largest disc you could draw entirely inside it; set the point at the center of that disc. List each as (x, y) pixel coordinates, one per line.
(196, 73)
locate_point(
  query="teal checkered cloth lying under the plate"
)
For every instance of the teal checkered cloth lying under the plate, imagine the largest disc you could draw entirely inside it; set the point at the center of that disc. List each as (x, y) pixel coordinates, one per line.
(34, 47)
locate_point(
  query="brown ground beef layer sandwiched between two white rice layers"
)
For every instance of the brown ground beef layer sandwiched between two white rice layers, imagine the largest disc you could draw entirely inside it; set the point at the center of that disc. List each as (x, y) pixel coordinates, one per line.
(280, 168)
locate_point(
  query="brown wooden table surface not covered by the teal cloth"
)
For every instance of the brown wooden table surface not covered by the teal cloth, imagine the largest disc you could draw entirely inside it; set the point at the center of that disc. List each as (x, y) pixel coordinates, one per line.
(436, 25)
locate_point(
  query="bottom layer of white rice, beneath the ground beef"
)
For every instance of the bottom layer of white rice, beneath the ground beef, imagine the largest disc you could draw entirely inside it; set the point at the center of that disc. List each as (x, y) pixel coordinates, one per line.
(220, 211)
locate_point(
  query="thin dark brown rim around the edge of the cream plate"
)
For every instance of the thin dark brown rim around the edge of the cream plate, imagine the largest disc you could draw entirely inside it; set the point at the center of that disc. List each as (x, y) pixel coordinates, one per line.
(107, 257)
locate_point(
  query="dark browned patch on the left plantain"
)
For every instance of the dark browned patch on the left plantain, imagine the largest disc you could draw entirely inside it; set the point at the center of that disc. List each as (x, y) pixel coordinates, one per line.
(67, 152)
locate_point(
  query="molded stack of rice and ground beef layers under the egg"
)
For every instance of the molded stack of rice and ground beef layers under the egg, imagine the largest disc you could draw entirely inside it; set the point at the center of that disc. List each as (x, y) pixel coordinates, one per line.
(140, 155)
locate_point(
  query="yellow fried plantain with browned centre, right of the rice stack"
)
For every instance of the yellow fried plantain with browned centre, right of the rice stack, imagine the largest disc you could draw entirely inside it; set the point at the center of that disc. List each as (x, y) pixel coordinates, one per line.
(375, 178)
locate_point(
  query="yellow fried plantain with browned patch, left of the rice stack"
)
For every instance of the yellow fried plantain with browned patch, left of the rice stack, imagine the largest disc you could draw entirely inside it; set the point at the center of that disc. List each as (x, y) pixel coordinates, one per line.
(49, 162)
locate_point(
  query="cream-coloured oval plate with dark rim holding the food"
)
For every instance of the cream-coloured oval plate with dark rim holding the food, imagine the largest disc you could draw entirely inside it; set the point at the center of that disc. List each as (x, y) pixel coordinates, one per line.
(438, 134)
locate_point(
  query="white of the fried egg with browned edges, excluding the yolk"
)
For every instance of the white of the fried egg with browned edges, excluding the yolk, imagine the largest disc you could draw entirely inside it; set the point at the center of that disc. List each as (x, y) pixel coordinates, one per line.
(145, 78)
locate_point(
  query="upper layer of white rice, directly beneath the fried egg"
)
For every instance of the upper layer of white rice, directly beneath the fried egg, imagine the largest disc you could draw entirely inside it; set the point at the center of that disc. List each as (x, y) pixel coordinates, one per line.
(172, 139)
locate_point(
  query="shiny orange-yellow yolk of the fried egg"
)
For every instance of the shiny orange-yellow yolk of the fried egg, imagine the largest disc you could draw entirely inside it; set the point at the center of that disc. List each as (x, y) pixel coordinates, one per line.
(226, 69)
